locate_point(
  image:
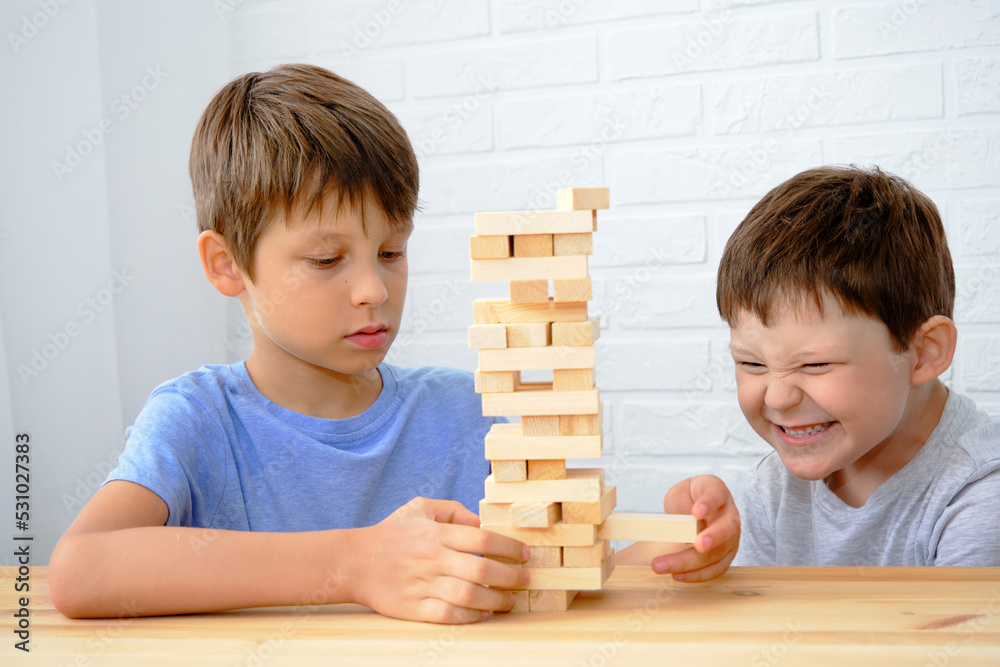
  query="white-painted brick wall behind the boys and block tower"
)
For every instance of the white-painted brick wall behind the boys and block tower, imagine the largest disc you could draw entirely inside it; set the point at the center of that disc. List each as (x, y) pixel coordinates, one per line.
(689, 111)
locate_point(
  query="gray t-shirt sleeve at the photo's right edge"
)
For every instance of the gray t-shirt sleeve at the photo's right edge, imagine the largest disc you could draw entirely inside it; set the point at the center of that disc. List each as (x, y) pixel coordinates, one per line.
(970, 534)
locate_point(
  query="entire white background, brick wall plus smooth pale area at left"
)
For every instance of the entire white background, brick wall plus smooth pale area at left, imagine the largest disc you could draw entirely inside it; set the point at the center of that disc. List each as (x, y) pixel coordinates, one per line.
(688, 110)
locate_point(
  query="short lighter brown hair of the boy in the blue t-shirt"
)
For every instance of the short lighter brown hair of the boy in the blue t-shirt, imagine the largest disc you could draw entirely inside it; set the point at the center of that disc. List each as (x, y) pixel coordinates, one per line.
(290, 137)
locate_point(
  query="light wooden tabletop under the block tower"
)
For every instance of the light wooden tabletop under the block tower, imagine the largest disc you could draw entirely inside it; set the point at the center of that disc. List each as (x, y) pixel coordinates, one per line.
(752, 616)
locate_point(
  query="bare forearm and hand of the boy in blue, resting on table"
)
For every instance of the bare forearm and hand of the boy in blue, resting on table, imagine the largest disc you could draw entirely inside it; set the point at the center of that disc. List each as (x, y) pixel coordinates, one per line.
(118, 559)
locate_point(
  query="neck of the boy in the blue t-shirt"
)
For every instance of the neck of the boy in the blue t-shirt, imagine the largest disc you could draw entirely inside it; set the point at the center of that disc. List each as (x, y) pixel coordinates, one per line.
(311, 391)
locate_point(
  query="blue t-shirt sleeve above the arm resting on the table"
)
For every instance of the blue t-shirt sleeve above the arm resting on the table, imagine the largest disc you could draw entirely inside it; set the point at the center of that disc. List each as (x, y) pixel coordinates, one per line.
(169, 450)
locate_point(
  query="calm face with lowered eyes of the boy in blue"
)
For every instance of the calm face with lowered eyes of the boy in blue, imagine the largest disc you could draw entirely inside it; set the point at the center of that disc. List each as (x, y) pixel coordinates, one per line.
(324, 294)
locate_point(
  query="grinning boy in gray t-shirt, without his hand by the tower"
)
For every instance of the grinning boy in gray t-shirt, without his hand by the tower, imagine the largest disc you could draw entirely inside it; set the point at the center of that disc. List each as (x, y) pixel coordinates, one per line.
(838, 289)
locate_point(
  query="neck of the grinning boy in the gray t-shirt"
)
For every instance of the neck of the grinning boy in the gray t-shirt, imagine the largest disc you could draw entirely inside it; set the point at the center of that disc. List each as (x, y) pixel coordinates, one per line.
(856, 483)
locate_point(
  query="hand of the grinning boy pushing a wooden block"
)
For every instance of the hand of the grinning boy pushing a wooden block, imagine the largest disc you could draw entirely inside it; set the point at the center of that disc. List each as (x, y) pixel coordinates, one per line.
(709, 500)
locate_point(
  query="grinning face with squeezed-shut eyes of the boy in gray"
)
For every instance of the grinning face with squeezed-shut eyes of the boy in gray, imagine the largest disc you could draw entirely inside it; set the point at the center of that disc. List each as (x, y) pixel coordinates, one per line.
(824, 391)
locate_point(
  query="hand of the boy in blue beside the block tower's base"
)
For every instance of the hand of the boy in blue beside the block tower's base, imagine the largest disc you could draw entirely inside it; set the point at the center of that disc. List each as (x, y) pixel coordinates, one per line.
(420, 563)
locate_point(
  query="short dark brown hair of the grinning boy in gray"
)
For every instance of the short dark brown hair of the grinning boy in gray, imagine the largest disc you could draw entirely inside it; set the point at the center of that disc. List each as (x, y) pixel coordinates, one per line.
(867, 237)
